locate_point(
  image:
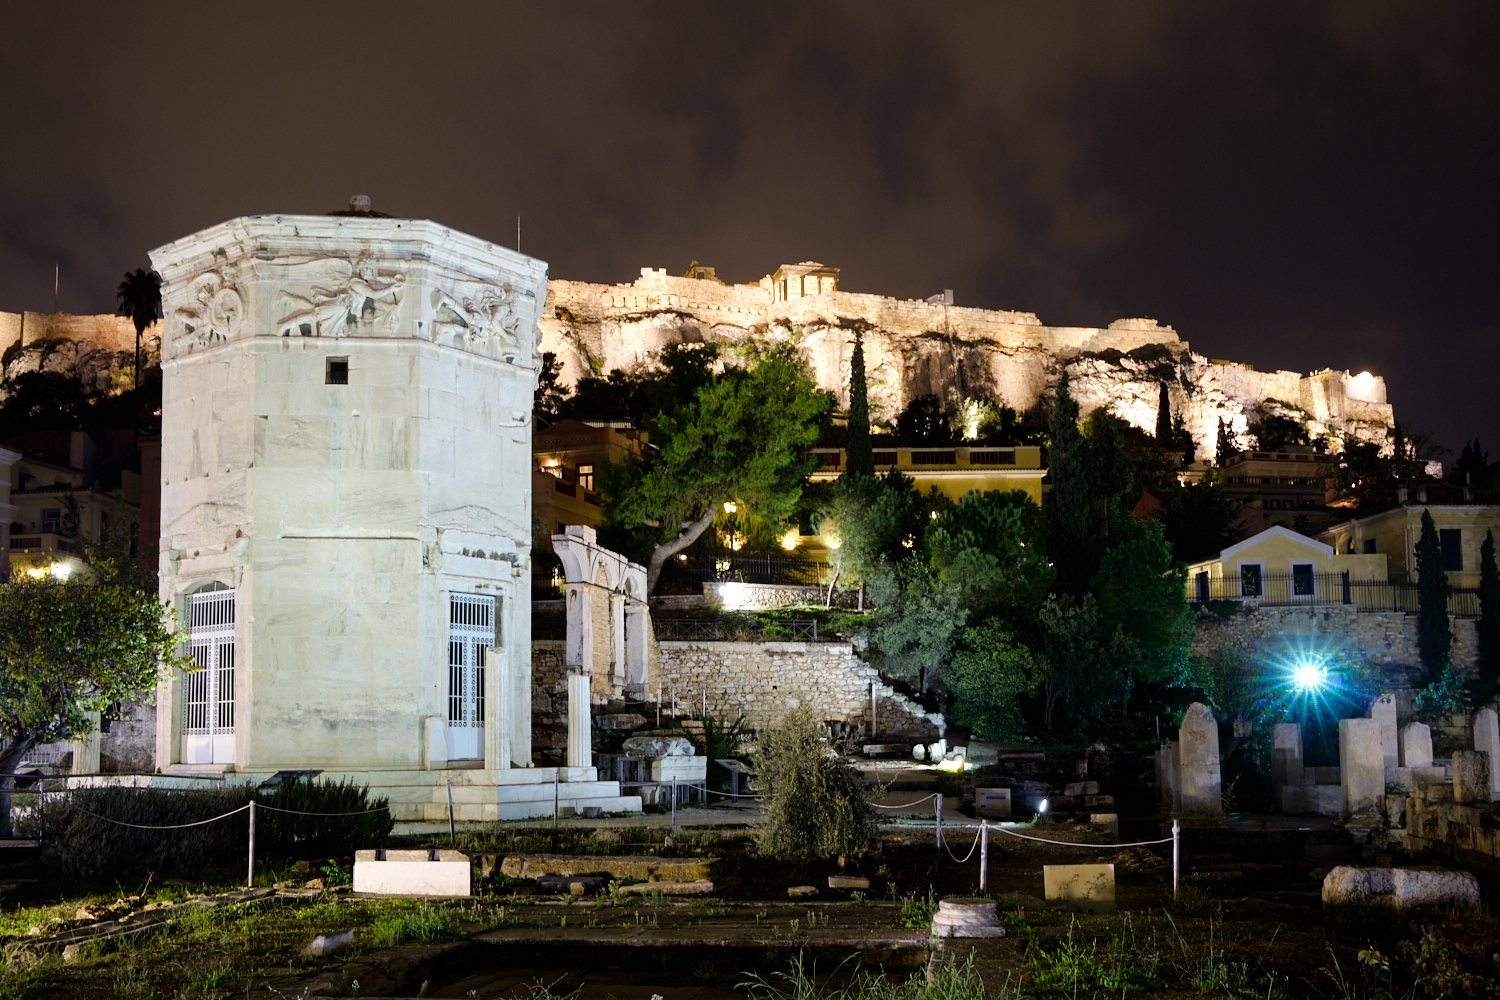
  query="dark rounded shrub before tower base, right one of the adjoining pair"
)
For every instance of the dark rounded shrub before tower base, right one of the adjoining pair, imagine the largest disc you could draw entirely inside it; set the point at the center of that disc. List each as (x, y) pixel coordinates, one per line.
(322, 836)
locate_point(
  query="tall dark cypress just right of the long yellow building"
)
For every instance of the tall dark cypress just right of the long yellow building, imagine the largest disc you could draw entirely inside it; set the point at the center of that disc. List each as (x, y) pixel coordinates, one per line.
(1070, 516)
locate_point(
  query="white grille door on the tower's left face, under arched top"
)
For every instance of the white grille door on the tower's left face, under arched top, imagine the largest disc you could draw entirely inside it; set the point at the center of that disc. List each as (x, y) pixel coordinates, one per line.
(209, 689)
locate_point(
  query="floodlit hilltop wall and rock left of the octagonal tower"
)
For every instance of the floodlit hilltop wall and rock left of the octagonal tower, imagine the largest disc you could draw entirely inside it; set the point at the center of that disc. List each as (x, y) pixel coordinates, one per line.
(92, 349)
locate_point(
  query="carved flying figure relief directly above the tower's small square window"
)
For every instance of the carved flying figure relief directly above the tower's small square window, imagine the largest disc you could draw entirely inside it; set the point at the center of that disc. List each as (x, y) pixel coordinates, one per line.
(341, 299)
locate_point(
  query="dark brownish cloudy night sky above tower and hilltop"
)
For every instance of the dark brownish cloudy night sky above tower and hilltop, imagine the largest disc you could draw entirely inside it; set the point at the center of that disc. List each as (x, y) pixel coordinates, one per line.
(1295, 185)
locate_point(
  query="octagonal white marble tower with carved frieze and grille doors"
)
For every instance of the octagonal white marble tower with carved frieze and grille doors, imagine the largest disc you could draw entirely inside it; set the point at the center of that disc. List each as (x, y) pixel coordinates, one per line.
(347, 503)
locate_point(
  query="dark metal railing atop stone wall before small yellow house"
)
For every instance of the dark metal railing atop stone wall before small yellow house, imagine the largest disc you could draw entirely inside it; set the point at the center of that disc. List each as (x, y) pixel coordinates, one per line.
(1325, 590)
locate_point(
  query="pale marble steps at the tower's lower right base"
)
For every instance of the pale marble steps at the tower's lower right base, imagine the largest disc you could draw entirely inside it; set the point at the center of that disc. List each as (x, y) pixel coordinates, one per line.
(527, 794)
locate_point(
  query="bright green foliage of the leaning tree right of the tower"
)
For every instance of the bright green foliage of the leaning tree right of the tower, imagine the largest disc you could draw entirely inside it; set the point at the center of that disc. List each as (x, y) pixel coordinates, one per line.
(739, 437)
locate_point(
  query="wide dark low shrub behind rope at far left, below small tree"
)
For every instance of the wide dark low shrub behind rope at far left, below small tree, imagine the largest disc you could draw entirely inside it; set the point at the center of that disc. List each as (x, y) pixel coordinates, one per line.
(80, 840)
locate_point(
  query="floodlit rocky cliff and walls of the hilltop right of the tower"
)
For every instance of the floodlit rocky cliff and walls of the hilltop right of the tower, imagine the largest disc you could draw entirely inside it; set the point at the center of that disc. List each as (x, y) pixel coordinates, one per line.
(914, 349)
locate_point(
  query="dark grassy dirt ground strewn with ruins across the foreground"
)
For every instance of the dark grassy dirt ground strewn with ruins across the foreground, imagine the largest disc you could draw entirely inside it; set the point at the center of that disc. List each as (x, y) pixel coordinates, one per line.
(1247, 923)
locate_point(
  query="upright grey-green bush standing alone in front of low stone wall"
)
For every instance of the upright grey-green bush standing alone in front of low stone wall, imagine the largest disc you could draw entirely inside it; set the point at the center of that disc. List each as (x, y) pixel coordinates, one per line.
(814, 801)
